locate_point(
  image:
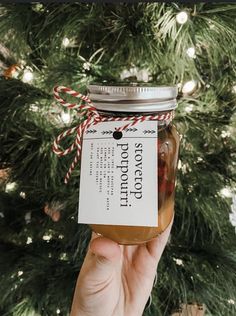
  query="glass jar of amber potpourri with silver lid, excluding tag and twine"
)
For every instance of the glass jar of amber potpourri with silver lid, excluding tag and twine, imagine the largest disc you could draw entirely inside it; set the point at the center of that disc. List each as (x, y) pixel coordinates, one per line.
(136, 100)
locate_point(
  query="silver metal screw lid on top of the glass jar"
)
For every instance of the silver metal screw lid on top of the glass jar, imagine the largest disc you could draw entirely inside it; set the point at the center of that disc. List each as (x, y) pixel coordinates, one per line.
(133, 98)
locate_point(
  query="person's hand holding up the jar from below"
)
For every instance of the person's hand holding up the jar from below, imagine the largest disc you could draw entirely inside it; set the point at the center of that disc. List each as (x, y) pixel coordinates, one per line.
(117, 280)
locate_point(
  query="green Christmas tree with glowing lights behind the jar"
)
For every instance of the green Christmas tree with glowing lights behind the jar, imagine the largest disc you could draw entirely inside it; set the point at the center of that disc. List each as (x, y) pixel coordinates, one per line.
(42, 246)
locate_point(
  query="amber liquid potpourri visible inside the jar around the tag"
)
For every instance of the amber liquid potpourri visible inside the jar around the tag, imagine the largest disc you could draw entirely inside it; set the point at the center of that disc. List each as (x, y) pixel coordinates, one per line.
(168, 147)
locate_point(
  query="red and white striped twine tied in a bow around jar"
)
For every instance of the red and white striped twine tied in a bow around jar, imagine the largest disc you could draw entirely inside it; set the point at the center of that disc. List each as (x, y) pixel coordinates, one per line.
(92, 118)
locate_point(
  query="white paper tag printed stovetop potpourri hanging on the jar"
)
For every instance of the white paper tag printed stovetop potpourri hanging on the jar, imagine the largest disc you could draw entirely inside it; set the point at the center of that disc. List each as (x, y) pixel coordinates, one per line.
(118, 179)
